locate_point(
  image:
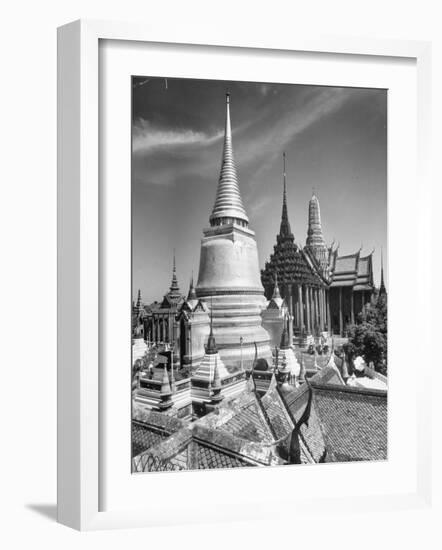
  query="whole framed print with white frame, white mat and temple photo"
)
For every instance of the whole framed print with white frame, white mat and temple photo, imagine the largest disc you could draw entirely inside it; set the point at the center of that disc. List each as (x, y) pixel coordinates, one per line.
(231, 285)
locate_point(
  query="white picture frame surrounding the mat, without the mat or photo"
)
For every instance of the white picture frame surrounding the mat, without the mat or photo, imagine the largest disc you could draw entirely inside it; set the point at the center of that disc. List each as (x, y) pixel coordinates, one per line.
(79, 272)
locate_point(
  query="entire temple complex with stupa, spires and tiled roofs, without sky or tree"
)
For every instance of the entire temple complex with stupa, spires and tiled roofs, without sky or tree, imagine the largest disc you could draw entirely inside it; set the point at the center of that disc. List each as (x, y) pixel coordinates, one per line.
(242, 370)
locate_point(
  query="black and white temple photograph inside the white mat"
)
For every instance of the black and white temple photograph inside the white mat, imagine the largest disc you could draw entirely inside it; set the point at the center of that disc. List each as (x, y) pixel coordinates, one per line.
(259, 274)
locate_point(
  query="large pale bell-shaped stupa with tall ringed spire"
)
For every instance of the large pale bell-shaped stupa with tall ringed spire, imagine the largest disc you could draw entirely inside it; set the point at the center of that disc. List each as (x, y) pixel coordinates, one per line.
(229, 276)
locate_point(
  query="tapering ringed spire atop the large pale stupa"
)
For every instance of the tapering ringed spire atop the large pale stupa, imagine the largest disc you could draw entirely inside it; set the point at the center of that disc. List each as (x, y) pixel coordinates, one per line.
(228, 202)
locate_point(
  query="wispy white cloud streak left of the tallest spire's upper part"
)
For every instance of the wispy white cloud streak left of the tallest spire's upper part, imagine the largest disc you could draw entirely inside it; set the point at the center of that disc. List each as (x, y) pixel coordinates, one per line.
(148, 137)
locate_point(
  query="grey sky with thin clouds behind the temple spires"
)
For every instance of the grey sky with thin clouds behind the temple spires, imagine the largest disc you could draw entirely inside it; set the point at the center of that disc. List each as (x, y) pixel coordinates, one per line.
(335, 141)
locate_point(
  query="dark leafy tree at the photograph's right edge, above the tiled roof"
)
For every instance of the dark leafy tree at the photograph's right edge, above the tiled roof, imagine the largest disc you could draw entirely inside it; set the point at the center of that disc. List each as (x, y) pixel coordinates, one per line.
(368, 337)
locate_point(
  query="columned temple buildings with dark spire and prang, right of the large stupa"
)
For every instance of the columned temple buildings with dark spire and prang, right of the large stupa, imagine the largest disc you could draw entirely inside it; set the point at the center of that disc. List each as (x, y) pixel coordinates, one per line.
(324, 291)
